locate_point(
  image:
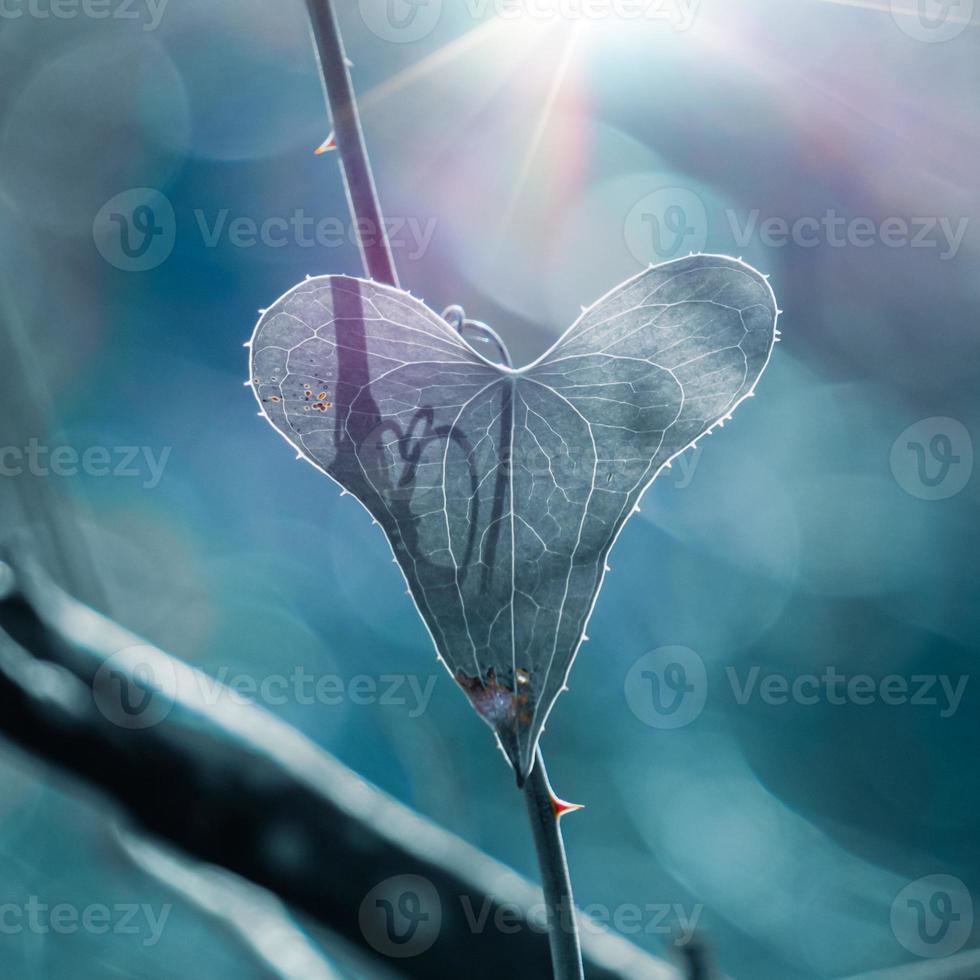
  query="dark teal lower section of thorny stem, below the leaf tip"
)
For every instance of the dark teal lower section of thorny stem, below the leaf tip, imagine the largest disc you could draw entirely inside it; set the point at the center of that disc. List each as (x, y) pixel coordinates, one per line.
(566, 952)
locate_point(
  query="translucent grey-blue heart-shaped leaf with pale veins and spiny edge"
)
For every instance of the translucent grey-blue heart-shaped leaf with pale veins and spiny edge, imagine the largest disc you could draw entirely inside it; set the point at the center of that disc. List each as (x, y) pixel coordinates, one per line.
(501, 491)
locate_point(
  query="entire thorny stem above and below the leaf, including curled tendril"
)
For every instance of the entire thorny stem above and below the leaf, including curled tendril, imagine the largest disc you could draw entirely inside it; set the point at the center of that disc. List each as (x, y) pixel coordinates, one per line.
(362, 197)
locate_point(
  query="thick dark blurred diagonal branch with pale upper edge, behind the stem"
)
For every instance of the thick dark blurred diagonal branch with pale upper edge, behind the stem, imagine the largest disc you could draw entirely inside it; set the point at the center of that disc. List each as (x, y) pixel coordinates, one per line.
(237, 787)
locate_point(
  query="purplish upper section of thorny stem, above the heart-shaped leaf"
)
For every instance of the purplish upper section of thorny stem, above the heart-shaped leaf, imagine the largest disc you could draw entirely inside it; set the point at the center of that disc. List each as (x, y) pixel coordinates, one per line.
(361, 194)
